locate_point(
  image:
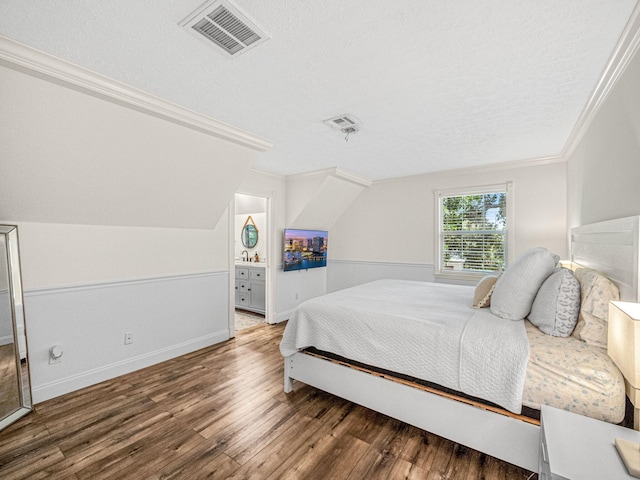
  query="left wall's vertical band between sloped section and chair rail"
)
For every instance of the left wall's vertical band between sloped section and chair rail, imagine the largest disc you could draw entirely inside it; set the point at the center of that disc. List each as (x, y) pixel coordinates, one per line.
(62, 255)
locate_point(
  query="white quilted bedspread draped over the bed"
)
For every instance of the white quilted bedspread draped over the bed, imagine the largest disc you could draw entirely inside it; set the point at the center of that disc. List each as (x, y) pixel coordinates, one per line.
(426, 330)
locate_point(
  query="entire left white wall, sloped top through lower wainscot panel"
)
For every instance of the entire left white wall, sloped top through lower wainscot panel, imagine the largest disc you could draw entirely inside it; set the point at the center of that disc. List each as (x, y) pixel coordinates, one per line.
(124, 227)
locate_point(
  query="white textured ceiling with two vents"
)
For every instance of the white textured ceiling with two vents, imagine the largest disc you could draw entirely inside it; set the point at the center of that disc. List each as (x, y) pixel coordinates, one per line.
(437, 85)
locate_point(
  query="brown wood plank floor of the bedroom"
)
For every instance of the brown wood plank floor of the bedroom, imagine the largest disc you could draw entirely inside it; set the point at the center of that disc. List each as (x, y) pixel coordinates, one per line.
(221, 413)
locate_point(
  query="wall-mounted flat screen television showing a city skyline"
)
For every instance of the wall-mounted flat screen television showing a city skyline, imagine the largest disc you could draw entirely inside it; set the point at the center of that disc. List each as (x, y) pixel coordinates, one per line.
(304, 249)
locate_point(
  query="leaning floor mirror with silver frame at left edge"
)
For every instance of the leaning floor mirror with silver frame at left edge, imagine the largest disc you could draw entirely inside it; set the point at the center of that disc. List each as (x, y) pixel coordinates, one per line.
(15, 388)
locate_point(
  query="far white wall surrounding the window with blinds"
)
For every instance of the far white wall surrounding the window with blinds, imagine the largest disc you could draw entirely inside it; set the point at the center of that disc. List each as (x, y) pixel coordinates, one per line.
(393, 222)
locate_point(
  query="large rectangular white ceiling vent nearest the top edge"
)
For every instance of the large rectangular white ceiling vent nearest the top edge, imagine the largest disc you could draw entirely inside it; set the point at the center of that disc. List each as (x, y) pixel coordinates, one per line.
(220, 23)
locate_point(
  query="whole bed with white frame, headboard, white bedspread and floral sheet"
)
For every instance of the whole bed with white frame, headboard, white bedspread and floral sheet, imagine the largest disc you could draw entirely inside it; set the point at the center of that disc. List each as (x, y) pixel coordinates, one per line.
(452, 399)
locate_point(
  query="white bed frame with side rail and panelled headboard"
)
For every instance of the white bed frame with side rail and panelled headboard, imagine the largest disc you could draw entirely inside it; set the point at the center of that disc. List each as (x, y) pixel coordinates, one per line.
(611, 247)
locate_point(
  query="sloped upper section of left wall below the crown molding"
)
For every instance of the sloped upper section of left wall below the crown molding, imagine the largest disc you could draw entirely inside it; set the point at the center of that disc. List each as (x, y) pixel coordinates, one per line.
(70, 157)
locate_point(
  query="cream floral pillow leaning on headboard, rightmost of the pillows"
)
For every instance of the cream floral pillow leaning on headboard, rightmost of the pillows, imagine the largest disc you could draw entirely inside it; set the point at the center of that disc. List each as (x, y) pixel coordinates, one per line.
(596, 293)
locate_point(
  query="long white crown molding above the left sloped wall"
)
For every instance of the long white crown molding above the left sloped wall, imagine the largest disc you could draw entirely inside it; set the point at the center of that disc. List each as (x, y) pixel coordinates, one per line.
(21, 57)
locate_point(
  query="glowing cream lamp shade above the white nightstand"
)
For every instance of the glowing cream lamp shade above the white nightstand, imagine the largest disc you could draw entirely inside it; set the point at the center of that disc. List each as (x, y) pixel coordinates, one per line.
(624, 339)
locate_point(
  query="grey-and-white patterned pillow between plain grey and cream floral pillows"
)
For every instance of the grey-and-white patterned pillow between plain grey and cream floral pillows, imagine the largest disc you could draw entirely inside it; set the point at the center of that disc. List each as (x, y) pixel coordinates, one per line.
(557, 305)
